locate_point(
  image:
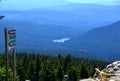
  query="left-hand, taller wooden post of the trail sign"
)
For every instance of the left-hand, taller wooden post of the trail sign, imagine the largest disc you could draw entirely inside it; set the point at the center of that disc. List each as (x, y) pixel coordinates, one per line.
(6, 52)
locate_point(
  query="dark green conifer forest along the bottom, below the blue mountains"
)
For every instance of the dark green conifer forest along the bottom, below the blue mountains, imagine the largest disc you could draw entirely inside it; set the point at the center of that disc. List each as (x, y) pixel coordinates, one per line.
(37, 67)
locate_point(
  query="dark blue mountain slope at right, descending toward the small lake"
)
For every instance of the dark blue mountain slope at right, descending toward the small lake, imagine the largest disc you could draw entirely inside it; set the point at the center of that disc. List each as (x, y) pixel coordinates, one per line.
(103, 42)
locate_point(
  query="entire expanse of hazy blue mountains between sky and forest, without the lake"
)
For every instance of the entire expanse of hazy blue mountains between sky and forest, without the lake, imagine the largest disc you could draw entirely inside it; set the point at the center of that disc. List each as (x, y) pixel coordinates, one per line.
(42, 26)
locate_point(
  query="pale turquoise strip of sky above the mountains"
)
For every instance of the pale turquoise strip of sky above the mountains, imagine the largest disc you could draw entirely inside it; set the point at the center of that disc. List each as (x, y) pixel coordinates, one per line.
(26, 4)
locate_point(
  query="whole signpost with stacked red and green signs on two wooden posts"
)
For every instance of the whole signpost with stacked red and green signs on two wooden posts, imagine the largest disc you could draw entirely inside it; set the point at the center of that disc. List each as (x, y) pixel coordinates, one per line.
(10, 44)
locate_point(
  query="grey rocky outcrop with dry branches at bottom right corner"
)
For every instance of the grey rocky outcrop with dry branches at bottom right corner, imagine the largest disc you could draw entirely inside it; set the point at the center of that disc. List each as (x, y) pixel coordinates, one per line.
(113, 70)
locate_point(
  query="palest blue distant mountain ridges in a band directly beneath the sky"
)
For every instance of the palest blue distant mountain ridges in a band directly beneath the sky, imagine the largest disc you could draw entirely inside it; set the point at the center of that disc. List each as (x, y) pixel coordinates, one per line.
(71, 14)
